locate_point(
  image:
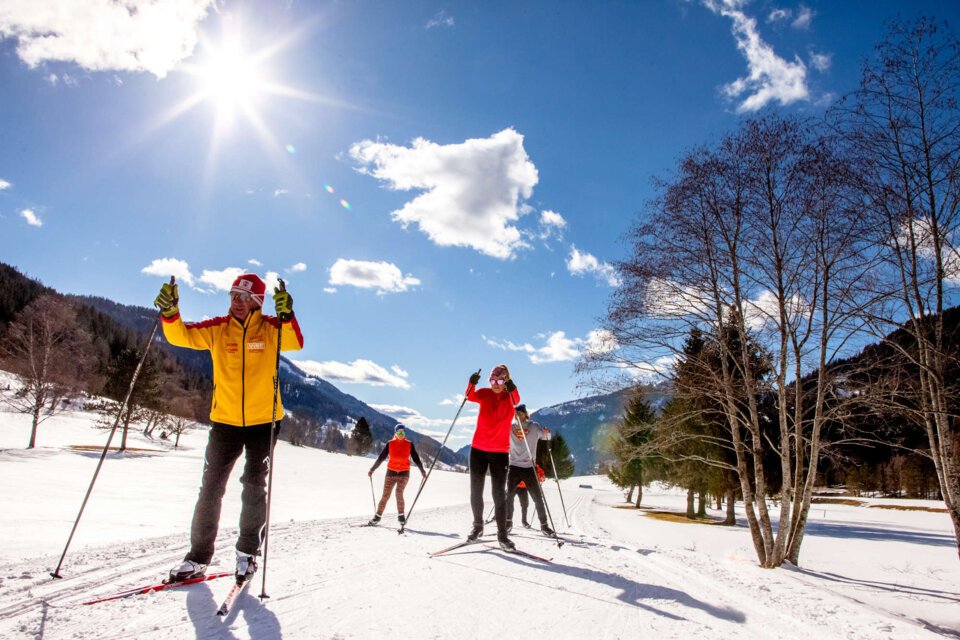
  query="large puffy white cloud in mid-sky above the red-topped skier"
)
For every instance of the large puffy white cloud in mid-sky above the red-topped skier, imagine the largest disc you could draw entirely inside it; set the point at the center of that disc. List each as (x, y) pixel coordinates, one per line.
(473, 192)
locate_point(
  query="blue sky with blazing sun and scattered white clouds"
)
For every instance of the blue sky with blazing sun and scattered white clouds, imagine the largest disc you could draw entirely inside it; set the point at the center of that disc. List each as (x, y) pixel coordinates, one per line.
(442, 185)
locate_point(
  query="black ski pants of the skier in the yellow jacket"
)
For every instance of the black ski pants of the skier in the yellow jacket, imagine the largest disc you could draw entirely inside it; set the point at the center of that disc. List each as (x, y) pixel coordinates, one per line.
(225, 445)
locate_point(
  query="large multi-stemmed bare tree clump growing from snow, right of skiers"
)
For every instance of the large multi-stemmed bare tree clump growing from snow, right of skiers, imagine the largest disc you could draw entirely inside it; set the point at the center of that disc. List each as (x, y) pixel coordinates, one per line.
(754, 243)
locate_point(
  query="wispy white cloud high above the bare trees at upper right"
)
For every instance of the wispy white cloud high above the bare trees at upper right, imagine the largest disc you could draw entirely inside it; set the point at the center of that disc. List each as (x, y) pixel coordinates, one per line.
(771, 78)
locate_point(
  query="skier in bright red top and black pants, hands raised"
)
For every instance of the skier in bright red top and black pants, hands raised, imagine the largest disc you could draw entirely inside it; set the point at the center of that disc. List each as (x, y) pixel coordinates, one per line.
(490, 448)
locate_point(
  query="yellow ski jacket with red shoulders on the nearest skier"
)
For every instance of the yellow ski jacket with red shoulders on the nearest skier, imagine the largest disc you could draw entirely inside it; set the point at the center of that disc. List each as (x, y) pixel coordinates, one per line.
(244, 355)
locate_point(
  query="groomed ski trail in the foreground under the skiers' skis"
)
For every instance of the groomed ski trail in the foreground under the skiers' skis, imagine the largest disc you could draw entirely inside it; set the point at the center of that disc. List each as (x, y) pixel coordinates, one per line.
(329, 580)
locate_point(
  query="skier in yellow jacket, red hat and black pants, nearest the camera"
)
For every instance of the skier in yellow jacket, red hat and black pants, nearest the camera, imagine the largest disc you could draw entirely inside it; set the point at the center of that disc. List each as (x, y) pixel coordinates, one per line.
(243, 347)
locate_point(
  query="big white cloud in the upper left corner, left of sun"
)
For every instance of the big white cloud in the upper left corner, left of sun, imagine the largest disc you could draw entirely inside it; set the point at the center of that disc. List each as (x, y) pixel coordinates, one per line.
(101, 35)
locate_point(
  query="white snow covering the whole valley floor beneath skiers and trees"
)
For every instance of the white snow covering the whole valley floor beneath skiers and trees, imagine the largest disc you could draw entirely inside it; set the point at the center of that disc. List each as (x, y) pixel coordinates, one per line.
(866, 572)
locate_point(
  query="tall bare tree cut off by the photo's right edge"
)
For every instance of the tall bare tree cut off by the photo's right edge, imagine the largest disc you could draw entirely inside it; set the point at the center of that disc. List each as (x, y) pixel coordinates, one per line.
(904, 126)
